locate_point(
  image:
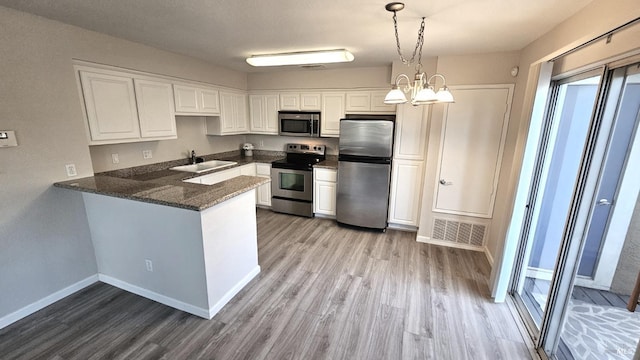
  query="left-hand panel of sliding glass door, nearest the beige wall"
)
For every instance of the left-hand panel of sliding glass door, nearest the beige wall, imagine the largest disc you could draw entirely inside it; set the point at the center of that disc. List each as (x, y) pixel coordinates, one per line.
(560, 156)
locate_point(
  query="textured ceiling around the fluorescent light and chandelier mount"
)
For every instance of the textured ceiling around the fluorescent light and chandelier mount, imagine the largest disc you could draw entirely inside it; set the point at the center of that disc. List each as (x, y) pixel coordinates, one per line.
(225, 32)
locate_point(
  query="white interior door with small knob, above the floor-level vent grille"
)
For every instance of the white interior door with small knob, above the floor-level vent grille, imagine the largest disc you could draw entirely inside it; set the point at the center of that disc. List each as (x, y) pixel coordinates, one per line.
(473, 134)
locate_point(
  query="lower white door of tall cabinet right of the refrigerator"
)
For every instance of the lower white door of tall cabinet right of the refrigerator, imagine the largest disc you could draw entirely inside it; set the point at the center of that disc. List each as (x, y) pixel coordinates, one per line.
(406, 186)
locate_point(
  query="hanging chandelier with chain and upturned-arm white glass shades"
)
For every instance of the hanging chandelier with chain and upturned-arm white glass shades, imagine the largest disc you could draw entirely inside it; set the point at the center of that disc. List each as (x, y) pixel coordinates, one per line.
(422, 89)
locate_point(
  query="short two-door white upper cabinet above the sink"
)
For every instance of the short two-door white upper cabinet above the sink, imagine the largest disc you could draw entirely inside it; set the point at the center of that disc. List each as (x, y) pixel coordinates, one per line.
(192, 100)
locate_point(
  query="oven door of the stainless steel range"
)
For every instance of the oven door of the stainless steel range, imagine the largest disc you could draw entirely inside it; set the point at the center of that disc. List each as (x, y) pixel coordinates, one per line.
(292, 184)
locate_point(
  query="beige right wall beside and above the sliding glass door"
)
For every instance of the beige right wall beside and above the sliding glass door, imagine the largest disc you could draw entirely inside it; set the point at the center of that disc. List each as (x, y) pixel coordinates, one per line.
(595, 19)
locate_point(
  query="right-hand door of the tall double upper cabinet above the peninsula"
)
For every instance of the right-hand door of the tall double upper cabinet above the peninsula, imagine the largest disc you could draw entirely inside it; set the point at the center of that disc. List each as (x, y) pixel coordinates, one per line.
(155, 109)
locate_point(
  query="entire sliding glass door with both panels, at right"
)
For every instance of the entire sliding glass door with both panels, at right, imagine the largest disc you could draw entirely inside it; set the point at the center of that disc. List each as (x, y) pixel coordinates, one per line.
(577, 259)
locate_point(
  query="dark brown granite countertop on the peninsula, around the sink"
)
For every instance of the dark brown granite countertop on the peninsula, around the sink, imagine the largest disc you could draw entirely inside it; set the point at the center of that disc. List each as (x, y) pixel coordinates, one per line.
(157, 184)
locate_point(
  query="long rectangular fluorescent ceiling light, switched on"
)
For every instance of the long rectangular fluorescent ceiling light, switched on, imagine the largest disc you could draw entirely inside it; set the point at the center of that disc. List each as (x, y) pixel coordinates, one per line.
(301, 58)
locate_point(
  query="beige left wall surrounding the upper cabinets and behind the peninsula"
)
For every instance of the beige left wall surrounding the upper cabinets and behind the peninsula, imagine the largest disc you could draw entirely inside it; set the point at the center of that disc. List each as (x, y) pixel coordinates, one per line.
(44, 237)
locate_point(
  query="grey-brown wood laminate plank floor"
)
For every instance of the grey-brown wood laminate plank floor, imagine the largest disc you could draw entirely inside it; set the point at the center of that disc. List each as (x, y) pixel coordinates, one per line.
(325, 292)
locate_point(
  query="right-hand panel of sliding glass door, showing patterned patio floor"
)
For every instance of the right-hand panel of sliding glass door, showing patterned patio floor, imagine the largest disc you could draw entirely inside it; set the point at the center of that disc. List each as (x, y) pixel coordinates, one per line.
(595, 320)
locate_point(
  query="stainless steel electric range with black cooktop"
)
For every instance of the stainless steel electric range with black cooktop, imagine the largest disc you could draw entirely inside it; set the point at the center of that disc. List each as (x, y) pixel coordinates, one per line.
(292, 179)
